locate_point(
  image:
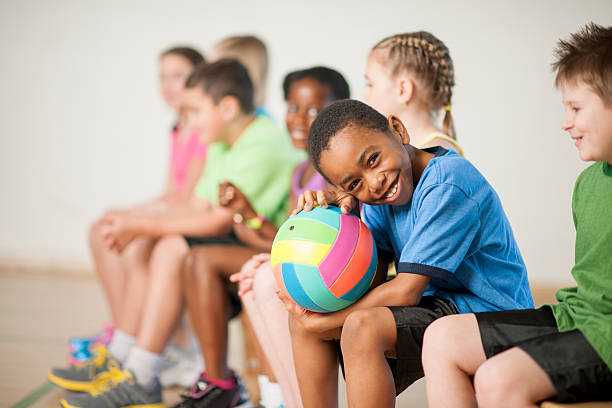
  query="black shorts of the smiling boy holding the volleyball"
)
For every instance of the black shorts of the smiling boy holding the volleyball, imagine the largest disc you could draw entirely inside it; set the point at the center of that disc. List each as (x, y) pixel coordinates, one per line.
(411, 322)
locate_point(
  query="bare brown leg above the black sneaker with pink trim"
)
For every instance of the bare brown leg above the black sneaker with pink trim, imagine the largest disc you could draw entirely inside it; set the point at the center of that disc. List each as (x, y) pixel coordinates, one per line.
(205, 281)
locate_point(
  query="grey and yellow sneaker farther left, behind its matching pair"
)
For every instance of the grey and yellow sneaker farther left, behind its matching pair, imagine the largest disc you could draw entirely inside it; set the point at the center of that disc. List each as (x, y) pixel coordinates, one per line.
(80, 377)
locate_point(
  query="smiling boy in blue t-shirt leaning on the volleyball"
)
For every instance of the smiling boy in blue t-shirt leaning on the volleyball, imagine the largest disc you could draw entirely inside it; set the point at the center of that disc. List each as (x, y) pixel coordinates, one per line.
(433, 213)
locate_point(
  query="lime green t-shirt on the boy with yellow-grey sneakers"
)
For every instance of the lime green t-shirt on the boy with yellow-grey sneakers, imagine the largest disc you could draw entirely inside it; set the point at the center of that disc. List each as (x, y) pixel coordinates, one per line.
(260, 164)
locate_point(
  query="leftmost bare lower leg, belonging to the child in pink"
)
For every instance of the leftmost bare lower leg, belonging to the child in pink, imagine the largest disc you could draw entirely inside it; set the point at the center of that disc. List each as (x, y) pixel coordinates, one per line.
(110, 269)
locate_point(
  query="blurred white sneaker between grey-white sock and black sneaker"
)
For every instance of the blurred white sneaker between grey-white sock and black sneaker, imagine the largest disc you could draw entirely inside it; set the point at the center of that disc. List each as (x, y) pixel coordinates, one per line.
(181, 366)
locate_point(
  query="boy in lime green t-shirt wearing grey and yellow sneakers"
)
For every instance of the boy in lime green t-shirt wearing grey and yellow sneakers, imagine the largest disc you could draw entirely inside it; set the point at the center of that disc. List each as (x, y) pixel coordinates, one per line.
(251, 152)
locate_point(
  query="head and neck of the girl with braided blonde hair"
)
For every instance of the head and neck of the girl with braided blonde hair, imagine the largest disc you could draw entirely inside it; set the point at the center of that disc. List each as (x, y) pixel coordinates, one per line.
(411, 76)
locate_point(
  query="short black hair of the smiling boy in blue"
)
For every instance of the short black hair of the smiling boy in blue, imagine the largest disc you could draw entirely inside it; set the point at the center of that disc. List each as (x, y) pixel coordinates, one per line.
(336, 117)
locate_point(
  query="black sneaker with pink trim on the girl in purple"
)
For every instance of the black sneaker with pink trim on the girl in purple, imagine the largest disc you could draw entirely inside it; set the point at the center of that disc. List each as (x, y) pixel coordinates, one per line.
(205, 394)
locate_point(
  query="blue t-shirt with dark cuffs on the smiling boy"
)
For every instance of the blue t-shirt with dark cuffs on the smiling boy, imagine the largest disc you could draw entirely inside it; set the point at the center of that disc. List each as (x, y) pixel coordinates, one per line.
(455, 230)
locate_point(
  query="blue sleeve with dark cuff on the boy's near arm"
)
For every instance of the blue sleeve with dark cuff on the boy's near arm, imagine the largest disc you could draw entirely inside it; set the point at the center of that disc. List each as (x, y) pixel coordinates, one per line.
(446, 224)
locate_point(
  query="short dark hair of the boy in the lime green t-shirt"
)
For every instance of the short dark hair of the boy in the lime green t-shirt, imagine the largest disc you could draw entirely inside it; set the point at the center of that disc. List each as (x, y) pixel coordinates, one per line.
(225, 77)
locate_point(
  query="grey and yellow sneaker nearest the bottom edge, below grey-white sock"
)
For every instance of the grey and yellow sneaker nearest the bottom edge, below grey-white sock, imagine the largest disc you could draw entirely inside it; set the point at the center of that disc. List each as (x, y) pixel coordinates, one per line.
(116, 389)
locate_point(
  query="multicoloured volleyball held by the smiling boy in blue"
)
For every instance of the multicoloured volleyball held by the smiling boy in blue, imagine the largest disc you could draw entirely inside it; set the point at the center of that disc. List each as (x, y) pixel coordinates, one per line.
(324, 260)
